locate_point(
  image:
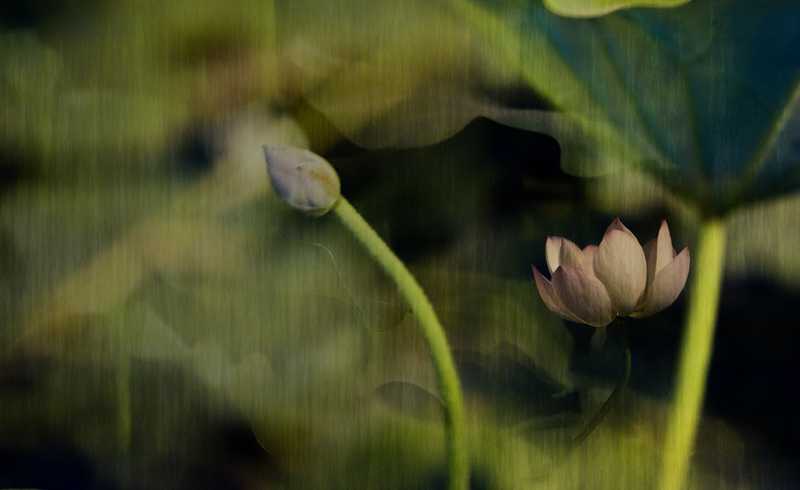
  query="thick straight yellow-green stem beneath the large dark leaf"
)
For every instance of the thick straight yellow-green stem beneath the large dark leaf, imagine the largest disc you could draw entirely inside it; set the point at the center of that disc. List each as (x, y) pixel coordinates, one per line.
(696, 350)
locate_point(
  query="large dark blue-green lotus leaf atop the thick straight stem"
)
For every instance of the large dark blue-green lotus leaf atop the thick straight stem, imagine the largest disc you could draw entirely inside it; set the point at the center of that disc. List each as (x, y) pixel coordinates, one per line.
(705, 94)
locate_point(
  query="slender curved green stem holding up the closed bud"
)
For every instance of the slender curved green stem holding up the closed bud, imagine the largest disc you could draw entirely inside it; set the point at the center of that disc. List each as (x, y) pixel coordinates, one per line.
(432, 332)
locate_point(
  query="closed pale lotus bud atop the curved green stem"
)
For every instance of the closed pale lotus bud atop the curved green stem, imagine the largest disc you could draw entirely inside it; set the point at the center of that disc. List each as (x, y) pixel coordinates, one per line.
(303, 179)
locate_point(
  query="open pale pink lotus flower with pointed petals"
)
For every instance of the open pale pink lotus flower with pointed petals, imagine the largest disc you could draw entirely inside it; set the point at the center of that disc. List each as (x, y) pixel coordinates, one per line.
(619, 278)
